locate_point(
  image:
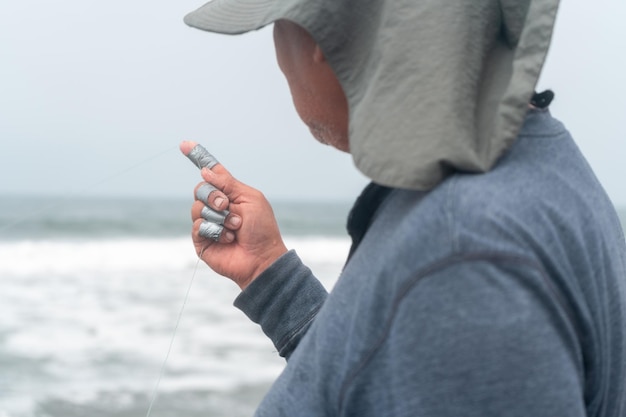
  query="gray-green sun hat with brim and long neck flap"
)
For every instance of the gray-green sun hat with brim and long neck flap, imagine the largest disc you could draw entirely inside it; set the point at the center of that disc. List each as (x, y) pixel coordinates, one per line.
(433, 86)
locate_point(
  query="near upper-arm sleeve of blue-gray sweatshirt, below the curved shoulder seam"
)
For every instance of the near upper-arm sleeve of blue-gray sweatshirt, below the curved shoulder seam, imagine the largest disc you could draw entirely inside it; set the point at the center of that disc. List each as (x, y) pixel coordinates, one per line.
(482, 338)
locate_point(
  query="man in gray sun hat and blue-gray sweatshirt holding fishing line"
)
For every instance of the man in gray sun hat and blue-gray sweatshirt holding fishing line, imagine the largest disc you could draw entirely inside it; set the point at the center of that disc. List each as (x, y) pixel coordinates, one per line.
(487, 273)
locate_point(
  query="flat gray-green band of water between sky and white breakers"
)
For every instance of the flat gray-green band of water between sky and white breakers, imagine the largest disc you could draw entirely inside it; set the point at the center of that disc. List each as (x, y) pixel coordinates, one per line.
(115, 218)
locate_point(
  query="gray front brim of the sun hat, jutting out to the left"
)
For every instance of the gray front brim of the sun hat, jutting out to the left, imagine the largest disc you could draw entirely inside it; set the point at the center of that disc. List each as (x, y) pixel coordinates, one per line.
(232, 16)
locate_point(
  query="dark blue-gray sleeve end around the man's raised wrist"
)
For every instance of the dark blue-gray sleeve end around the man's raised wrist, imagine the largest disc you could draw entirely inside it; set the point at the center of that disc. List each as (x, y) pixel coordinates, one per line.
(284, 300)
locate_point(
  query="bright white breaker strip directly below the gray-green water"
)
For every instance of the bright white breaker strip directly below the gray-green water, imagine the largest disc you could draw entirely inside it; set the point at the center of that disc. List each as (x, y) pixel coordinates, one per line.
(79, 256)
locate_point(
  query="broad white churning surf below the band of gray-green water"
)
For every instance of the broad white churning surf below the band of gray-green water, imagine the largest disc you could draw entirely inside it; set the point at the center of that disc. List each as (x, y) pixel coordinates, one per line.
(98, 315)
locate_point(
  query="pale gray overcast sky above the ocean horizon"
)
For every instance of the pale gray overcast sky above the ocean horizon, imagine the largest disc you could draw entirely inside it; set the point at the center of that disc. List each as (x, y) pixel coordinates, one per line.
(90, 89)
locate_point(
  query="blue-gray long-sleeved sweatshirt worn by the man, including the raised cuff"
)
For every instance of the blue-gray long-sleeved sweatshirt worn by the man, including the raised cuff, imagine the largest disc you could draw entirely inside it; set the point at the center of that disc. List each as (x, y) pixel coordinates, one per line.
(497, 294)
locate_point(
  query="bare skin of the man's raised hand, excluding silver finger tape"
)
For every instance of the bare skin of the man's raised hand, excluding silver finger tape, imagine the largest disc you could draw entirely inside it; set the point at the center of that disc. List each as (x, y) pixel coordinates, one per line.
(250, 241)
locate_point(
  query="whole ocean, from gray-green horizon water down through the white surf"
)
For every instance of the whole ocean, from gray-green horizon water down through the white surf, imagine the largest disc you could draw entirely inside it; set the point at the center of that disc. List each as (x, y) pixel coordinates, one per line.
(90, 291)
